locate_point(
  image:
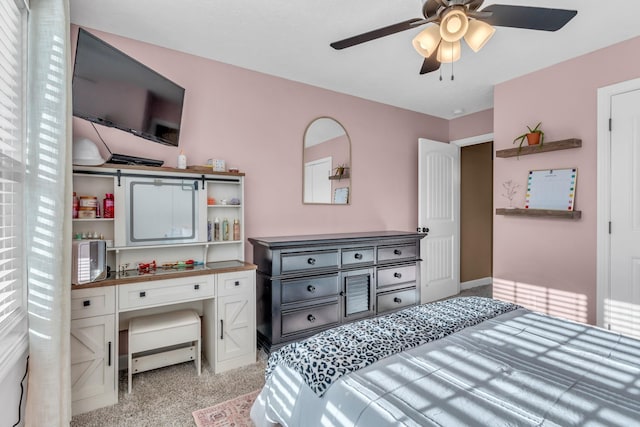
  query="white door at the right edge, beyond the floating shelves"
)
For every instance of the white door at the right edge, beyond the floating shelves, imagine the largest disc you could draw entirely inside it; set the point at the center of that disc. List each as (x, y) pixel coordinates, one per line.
(622, 307)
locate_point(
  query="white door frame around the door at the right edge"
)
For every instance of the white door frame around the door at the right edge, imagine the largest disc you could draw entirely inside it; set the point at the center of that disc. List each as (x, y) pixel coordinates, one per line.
(603, 190)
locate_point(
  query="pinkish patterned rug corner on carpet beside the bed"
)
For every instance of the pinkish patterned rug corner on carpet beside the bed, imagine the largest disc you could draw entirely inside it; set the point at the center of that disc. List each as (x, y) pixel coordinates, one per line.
(232, 413)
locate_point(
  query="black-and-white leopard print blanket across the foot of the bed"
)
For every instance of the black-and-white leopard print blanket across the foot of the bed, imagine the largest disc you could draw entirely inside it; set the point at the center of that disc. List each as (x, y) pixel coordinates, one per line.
(328, 355)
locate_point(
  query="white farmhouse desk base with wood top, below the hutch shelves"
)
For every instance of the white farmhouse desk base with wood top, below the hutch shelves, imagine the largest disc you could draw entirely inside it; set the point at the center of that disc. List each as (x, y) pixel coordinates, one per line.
(224, 295)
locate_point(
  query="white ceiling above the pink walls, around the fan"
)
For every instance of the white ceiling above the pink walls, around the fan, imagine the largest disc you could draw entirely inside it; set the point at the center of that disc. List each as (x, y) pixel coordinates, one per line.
(290, 39)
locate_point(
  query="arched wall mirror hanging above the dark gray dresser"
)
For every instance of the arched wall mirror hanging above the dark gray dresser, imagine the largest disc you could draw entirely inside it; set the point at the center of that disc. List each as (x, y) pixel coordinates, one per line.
(326, 163)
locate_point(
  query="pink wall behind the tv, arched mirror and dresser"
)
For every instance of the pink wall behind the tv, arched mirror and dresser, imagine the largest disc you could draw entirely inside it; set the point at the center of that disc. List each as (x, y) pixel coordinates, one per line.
(256, 122)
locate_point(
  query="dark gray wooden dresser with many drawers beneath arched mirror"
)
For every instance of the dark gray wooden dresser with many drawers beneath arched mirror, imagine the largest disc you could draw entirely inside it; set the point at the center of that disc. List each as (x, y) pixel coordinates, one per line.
(306, 284)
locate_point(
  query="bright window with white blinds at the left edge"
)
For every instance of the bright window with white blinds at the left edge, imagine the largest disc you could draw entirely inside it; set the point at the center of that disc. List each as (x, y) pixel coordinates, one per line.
(13, 339)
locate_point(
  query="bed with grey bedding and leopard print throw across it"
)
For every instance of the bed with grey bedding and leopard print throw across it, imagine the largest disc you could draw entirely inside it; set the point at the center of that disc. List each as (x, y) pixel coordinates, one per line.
(467, 361)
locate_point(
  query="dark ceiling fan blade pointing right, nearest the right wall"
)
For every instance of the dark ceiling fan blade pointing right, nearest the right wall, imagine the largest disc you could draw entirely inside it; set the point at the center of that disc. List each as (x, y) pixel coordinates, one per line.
(532, 18)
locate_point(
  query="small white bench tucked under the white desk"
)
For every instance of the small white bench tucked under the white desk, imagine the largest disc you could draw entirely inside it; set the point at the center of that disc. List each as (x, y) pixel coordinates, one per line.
(157, 340)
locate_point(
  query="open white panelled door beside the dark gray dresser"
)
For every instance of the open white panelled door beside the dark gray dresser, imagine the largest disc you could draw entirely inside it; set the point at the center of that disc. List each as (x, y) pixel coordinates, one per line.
(439, 211)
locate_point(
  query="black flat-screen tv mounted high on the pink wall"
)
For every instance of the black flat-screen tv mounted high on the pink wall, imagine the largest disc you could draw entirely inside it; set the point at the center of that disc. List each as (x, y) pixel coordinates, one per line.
(113, 89)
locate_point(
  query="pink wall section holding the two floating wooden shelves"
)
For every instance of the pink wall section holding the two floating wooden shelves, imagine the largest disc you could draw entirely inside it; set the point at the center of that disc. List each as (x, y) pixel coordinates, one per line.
(550, 264)
